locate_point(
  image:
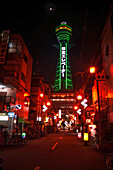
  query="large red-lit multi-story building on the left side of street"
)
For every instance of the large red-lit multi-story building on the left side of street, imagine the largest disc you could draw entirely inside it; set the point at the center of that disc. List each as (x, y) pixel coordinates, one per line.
(16, 70)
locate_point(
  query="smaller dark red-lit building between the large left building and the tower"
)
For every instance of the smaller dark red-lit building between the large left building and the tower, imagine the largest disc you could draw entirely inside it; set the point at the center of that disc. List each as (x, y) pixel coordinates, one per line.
(38, 86)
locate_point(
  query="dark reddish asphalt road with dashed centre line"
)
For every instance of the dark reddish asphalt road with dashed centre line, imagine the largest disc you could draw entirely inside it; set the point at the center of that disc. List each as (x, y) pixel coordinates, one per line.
(59, 151)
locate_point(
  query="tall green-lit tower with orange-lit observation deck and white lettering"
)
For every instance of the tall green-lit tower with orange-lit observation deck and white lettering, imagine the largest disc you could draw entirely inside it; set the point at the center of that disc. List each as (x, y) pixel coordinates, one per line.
(63, 79)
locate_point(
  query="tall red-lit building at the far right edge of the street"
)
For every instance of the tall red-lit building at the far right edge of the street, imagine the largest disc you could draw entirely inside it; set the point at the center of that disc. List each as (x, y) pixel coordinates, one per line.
(107, 53)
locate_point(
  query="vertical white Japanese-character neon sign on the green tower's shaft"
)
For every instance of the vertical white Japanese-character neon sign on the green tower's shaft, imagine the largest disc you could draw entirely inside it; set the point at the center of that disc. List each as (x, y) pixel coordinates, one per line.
(63, 61)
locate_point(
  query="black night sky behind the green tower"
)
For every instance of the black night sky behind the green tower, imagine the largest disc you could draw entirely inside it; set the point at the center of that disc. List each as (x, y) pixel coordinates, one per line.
(36, 24)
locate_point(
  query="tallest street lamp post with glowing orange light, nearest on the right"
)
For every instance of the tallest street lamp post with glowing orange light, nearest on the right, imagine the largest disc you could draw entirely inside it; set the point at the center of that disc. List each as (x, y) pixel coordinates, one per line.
(93, 71)
